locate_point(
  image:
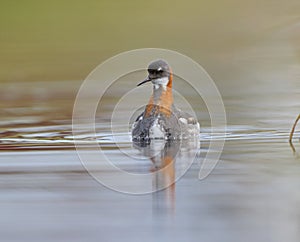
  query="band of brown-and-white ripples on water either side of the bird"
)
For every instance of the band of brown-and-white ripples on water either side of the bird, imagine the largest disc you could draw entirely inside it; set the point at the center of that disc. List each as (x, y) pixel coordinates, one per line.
(59, 136)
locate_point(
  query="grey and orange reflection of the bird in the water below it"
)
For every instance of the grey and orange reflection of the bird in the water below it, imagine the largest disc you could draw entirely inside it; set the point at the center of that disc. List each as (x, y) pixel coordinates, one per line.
(170, 160)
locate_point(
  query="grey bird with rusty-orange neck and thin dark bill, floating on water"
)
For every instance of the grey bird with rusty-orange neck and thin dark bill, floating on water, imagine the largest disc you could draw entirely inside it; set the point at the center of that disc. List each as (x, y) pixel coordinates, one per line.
(161, 119)
